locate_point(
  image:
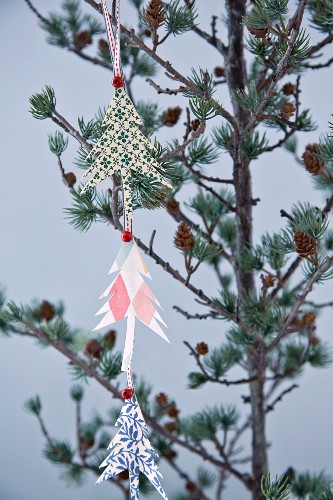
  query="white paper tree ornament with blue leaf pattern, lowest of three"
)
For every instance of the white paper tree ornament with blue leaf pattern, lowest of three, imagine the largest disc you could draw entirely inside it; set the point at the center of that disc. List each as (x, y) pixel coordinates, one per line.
(132, 450)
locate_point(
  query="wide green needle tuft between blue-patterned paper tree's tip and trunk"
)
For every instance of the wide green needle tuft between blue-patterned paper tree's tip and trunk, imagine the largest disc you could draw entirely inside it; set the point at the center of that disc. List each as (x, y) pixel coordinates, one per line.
(205, 424)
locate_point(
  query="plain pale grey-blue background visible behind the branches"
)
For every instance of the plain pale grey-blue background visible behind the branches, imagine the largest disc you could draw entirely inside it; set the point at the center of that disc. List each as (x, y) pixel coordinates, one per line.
(42, 256)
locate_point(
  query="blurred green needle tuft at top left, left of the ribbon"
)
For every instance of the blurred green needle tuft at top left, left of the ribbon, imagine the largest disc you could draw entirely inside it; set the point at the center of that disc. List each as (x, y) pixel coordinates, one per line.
(62, 28)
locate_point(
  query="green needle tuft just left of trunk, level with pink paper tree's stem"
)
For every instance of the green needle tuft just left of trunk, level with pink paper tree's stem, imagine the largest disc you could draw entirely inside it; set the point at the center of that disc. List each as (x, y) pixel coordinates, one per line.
(220, 359)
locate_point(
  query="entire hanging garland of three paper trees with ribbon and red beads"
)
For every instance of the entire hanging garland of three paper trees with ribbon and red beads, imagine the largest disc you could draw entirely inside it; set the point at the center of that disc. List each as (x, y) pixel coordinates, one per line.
(124, 149)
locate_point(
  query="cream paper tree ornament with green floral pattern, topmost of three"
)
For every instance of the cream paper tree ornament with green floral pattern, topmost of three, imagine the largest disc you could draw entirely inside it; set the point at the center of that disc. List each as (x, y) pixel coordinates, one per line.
(122, 148)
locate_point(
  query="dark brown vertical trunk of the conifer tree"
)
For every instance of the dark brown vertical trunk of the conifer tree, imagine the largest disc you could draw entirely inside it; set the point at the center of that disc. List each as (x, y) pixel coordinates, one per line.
(237, 78)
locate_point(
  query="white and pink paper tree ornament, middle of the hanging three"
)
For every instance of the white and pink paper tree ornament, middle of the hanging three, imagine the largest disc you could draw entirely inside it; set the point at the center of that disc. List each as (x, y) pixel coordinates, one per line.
(130, 297)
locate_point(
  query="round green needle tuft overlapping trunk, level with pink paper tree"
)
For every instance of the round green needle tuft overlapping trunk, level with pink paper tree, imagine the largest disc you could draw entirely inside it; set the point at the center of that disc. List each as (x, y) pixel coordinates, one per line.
(265, 318)
